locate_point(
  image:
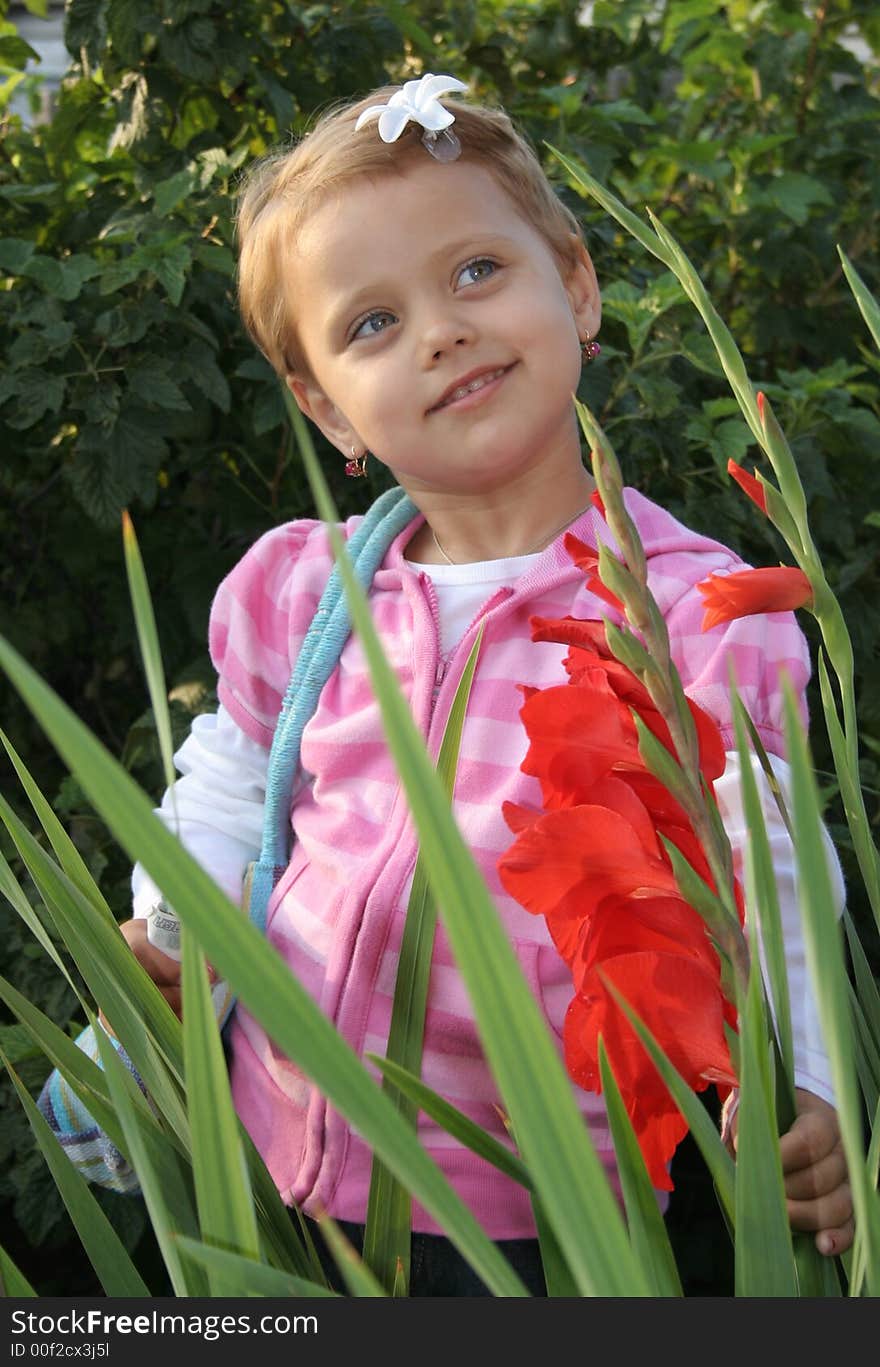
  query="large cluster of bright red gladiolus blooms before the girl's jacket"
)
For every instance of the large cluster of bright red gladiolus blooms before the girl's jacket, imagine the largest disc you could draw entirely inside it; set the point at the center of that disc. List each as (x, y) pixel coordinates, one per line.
(594, 865)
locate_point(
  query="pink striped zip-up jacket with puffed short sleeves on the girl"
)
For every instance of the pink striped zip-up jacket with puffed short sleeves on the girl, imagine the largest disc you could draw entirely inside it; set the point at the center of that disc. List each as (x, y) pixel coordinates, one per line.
(337, 915)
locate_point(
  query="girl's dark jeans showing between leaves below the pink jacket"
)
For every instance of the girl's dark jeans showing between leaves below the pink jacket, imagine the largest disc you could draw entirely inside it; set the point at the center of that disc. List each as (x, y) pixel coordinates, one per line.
(437, 1267)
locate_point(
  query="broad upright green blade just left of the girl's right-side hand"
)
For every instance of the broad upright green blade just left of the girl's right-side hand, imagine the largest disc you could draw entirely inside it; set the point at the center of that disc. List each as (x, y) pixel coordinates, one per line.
(765, 1258)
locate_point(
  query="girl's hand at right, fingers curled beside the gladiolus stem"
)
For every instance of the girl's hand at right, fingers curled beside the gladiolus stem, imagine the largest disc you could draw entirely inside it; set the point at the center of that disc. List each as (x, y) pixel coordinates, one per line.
(815, 1172)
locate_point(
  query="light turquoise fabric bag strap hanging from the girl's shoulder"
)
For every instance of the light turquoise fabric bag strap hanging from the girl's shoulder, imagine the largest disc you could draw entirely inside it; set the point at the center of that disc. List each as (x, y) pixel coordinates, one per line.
(318, 660)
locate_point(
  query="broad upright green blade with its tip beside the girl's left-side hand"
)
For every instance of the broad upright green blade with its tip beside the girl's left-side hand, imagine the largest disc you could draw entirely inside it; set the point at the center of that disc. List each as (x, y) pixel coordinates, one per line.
(223, 1195)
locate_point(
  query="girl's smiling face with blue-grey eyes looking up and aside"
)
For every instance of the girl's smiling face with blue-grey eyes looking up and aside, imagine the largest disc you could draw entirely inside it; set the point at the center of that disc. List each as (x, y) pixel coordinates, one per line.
(438, 330)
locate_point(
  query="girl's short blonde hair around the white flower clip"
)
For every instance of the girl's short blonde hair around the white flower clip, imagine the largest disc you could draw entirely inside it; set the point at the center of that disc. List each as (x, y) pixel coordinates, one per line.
(284, 188)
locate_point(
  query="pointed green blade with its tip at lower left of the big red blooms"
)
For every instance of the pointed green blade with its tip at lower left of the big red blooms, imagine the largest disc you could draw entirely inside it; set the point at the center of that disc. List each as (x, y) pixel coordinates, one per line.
(648, 1232)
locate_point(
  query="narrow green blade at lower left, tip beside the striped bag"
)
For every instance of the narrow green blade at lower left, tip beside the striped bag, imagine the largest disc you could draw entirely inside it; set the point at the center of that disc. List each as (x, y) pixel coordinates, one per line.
(162, 1176)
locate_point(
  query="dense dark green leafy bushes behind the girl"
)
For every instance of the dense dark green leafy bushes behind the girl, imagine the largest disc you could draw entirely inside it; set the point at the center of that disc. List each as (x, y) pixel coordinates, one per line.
(751, 129)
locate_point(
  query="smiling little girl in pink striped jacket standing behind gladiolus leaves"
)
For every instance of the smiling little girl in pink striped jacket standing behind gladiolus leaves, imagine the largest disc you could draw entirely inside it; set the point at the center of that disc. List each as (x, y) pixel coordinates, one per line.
(413, 278)
